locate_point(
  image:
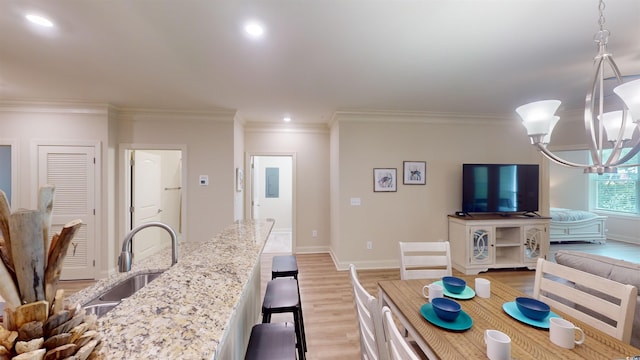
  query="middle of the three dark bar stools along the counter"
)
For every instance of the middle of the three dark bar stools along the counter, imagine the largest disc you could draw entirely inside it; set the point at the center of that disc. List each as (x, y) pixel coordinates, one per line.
(282, 296)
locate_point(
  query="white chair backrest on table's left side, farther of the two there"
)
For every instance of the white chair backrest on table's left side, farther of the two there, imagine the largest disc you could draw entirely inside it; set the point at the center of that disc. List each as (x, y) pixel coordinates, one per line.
(372, 342)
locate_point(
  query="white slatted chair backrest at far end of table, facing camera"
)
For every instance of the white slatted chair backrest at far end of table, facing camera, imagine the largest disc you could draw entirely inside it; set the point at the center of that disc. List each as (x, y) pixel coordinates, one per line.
(425, 260)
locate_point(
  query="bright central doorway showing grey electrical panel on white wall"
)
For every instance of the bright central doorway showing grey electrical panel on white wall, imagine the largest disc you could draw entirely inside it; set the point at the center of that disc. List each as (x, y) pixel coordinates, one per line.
(272, 197)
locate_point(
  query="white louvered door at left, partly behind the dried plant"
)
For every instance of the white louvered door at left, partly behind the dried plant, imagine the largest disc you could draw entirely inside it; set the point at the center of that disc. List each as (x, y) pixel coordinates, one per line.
(71, 169)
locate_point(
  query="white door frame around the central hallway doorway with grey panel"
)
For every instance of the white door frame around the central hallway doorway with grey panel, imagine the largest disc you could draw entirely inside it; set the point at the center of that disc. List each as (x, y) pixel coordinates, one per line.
(248, 195)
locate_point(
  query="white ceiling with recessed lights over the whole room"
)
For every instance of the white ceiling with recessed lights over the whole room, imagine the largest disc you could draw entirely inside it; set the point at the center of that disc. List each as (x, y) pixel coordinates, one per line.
(316, 56)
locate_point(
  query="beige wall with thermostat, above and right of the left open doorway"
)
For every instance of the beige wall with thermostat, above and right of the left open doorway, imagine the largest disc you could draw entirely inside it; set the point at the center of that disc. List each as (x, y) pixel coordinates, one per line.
(210, 151)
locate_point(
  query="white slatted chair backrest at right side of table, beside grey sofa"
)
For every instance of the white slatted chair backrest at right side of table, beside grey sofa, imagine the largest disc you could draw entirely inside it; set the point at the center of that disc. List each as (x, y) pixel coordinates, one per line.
(604, 304)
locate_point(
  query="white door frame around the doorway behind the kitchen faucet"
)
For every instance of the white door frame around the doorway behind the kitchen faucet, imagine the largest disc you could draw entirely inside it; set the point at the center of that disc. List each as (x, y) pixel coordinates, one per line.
(124, 194)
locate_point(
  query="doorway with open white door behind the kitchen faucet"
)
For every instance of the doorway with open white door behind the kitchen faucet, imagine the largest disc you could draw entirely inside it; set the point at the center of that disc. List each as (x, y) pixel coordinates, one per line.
(154, 191)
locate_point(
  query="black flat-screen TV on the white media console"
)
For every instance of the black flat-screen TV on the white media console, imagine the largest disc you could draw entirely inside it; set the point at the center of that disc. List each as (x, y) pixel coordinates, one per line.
(499, 188)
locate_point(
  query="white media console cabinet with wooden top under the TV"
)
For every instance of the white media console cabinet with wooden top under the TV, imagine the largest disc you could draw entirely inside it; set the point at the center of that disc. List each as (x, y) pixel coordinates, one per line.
(487, 241)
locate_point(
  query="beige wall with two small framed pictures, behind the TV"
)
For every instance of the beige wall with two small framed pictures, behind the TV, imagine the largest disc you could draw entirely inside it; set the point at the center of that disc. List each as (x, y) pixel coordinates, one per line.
(414, 212)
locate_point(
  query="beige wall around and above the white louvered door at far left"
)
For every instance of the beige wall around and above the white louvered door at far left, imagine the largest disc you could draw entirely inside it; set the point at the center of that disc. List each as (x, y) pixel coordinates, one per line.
(29, 123)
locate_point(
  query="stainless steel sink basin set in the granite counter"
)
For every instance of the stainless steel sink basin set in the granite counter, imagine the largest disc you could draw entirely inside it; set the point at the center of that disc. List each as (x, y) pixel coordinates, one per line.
(109, 299)
